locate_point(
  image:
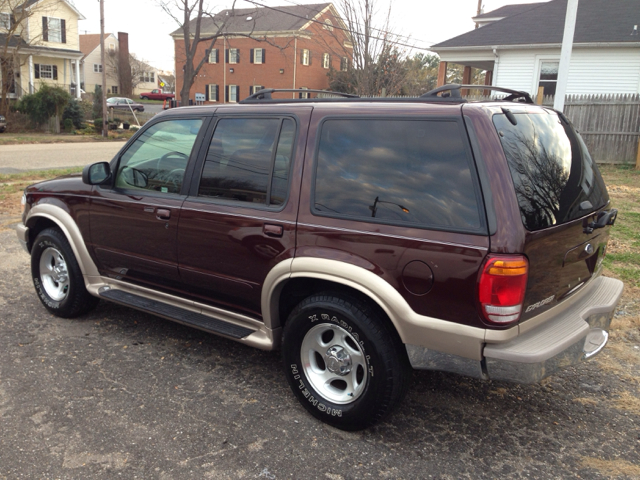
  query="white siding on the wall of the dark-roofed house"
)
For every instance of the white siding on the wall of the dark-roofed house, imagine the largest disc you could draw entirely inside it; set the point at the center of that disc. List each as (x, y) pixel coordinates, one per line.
(592, 70)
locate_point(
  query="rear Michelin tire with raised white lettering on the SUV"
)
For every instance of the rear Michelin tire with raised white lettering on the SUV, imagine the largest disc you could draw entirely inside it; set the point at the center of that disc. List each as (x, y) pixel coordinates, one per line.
(354, 326)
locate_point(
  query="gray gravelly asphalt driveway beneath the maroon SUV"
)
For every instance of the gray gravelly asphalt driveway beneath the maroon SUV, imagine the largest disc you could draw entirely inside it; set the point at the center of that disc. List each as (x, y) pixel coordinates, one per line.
(124, 394)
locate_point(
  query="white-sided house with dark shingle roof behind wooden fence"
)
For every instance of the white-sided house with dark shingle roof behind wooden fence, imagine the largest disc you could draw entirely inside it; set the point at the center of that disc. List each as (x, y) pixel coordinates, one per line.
(519, 47)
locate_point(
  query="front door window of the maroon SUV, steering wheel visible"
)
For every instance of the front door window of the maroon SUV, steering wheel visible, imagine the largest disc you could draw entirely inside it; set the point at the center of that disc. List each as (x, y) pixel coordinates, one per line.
(157, 160)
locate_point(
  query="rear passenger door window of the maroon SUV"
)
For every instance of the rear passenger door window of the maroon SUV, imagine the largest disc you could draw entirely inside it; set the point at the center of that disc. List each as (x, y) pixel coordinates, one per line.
(249, 160)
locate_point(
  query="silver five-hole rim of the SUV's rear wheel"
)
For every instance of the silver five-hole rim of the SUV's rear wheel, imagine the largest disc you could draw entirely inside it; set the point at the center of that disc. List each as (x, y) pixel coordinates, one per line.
(334, 363)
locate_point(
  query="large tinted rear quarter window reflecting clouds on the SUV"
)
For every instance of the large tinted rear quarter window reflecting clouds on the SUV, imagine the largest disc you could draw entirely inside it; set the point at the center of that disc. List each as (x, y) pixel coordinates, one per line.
(396, 171)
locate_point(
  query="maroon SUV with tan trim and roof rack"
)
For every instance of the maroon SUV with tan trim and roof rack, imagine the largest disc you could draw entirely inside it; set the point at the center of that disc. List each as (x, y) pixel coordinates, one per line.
(361, 237)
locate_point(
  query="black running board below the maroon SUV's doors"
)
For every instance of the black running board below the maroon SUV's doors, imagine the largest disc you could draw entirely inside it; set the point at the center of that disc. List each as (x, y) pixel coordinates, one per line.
(177, 314)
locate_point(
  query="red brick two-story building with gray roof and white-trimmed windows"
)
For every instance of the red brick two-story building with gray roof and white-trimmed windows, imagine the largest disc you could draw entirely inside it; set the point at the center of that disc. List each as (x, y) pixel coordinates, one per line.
(289, 47)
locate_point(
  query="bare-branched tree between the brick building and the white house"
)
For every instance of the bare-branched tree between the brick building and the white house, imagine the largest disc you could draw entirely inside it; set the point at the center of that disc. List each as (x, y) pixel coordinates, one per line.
(377, 61)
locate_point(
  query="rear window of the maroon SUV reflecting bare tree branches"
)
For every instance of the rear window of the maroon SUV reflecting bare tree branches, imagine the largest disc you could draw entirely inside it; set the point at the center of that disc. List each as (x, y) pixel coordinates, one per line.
(552, 170)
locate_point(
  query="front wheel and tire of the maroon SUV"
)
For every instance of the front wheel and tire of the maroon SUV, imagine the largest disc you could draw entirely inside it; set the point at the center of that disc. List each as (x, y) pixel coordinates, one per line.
(57, 276)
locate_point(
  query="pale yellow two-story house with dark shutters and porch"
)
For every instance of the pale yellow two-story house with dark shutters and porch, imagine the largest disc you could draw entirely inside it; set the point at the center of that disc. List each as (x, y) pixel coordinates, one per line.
(39, 44)
